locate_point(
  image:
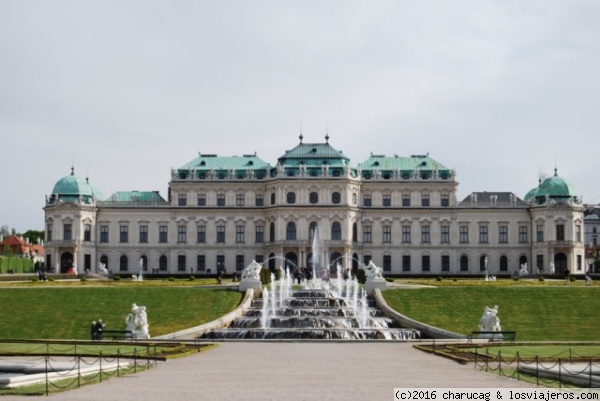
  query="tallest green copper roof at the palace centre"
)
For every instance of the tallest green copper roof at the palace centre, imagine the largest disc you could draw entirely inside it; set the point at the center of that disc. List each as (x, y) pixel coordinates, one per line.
(313, 154)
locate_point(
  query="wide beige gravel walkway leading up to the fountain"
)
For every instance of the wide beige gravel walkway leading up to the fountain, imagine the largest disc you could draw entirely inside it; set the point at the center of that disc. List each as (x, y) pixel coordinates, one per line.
(287, 371)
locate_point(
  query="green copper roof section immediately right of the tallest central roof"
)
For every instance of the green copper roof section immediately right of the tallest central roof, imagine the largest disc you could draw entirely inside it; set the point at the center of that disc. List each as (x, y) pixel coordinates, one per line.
(405, 166)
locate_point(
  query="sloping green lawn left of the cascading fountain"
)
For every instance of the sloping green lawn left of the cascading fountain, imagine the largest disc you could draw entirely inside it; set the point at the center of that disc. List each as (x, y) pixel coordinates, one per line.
(66, 312)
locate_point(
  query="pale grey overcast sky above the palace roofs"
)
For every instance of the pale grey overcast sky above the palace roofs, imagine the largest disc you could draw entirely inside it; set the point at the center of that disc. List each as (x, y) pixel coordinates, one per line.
(504, 91)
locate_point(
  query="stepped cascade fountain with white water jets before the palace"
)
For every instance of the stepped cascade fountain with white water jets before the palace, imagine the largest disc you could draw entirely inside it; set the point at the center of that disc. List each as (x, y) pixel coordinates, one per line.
(318, 308)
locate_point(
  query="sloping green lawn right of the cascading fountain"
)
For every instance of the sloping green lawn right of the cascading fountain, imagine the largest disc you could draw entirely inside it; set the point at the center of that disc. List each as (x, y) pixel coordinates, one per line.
(536, 313)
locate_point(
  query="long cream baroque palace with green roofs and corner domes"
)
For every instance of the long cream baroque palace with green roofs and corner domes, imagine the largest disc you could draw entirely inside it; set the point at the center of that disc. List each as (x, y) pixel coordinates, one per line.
(400, 212)
